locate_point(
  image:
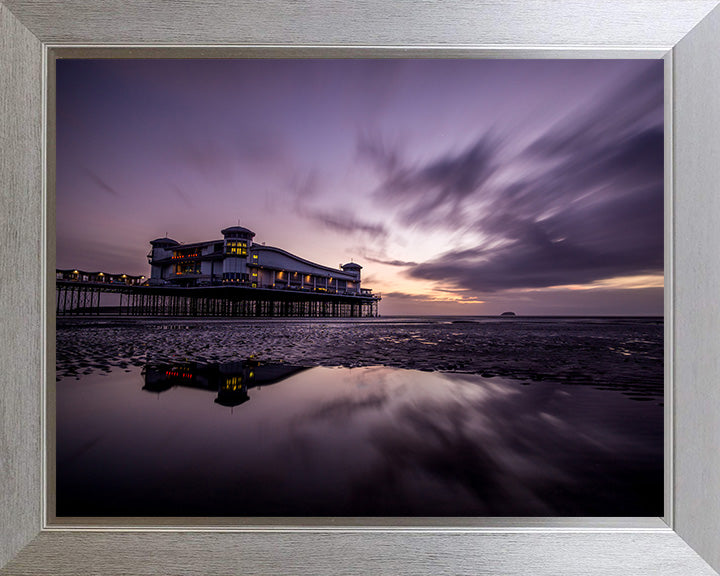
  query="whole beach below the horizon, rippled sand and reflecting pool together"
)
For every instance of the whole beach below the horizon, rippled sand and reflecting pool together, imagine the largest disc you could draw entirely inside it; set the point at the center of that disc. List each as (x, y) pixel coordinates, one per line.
(360, 417)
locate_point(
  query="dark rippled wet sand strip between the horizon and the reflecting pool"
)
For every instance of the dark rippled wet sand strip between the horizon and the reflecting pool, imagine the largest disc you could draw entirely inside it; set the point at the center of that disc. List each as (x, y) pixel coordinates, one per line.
(620, 354)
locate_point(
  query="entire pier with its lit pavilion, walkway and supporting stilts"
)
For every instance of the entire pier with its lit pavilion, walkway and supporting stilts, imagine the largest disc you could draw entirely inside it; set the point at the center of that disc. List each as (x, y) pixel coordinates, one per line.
(232, 276)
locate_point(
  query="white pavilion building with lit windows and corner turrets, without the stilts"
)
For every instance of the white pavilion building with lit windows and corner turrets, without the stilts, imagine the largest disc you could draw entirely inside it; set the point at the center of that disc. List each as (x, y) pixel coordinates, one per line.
(237, 260)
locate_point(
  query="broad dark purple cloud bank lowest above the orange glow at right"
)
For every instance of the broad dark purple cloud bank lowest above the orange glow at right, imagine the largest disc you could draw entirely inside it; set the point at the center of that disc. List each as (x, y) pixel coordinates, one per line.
(577, 246)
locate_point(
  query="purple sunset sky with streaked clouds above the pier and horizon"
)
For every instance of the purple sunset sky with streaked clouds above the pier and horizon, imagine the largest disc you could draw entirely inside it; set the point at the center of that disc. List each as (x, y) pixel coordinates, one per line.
(463, 187)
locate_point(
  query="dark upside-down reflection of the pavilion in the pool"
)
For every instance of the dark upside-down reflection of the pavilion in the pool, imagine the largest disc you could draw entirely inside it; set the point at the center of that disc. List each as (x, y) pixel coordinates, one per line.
(231, 381)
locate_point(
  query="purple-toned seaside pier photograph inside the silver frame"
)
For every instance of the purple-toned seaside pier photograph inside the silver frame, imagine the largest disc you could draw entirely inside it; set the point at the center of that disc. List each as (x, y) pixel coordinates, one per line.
(358, 288)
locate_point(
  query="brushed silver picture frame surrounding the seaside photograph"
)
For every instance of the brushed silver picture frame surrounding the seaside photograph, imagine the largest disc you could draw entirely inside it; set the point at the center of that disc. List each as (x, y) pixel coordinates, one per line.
(685, 33)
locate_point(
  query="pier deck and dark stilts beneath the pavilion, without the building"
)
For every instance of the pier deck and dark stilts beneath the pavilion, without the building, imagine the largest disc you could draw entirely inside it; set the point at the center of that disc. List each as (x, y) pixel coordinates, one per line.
(85, 298)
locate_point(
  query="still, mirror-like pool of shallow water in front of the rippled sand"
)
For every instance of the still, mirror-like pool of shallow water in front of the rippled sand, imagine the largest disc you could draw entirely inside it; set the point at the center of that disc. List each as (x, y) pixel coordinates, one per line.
(208, 439)
